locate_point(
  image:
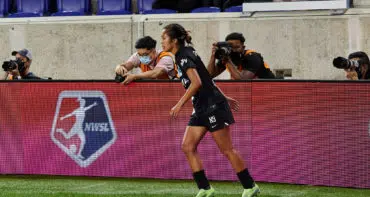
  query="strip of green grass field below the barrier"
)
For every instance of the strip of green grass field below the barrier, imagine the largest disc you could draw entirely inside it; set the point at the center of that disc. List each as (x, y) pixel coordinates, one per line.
(51, 186)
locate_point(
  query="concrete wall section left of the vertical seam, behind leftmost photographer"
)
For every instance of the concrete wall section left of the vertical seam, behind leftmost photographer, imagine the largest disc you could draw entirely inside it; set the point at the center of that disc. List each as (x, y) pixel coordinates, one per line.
(87, 48)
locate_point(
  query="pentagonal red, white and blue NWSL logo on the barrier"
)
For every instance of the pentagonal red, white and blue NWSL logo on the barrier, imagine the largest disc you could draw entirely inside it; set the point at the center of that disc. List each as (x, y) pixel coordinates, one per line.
(82, 125)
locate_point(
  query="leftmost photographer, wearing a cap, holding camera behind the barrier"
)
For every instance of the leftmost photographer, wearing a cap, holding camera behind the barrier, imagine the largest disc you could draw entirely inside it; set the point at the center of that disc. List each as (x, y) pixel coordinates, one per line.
(19, 68)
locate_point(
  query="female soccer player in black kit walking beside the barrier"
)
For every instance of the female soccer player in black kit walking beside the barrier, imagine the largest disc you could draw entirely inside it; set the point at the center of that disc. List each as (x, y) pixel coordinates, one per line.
(211, 112)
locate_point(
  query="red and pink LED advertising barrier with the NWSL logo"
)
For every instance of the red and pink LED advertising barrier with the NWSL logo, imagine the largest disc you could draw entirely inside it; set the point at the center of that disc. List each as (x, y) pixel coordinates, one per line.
(301, 132)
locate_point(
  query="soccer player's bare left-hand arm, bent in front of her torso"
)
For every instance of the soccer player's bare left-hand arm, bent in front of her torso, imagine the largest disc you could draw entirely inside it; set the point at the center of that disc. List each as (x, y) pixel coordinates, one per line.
(194, 86)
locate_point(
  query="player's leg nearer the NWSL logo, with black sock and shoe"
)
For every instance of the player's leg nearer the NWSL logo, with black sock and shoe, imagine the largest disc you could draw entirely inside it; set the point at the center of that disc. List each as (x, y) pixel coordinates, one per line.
(193, 135)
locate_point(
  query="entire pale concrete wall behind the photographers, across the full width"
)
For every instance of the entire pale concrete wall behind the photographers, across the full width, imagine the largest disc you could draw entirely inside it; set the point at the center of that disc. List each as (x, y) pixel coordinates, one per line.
(90, 47)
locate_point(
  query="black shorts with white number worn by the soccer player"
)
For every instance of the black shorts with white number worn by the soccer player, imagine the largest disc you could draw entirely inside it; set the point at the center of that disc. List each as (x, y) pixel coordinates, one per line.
(216, 119)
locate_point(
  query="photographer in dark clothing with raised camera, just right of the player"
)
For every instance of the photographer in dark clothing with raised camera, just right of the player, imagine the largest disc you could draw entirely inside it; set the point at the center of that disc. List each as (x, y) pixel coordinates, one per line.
(242, 64)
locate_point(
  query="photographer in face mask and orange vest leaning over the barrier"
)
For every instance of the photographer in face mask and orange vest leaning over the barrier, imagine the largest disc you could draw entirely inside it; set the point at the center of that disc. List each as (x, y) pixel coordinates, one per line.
(154, 64)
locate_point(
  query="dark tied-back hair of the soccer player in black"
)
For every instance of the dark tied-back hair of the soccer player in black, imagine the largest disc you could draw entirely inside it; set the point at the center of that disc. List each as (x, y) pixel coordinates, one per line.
(176, 31)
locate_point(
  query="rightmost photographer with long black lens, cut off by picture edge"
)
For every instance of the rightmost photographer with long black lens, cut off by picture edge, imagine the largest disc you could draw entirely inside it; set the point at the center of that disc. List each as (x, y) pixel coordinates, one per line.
(356, 66)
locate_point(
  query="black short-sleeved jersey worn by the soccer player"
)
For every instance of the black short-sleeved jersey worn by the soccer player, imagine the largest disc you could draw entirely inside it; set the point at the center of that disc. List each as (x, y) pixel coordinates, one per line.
(208, 95)
